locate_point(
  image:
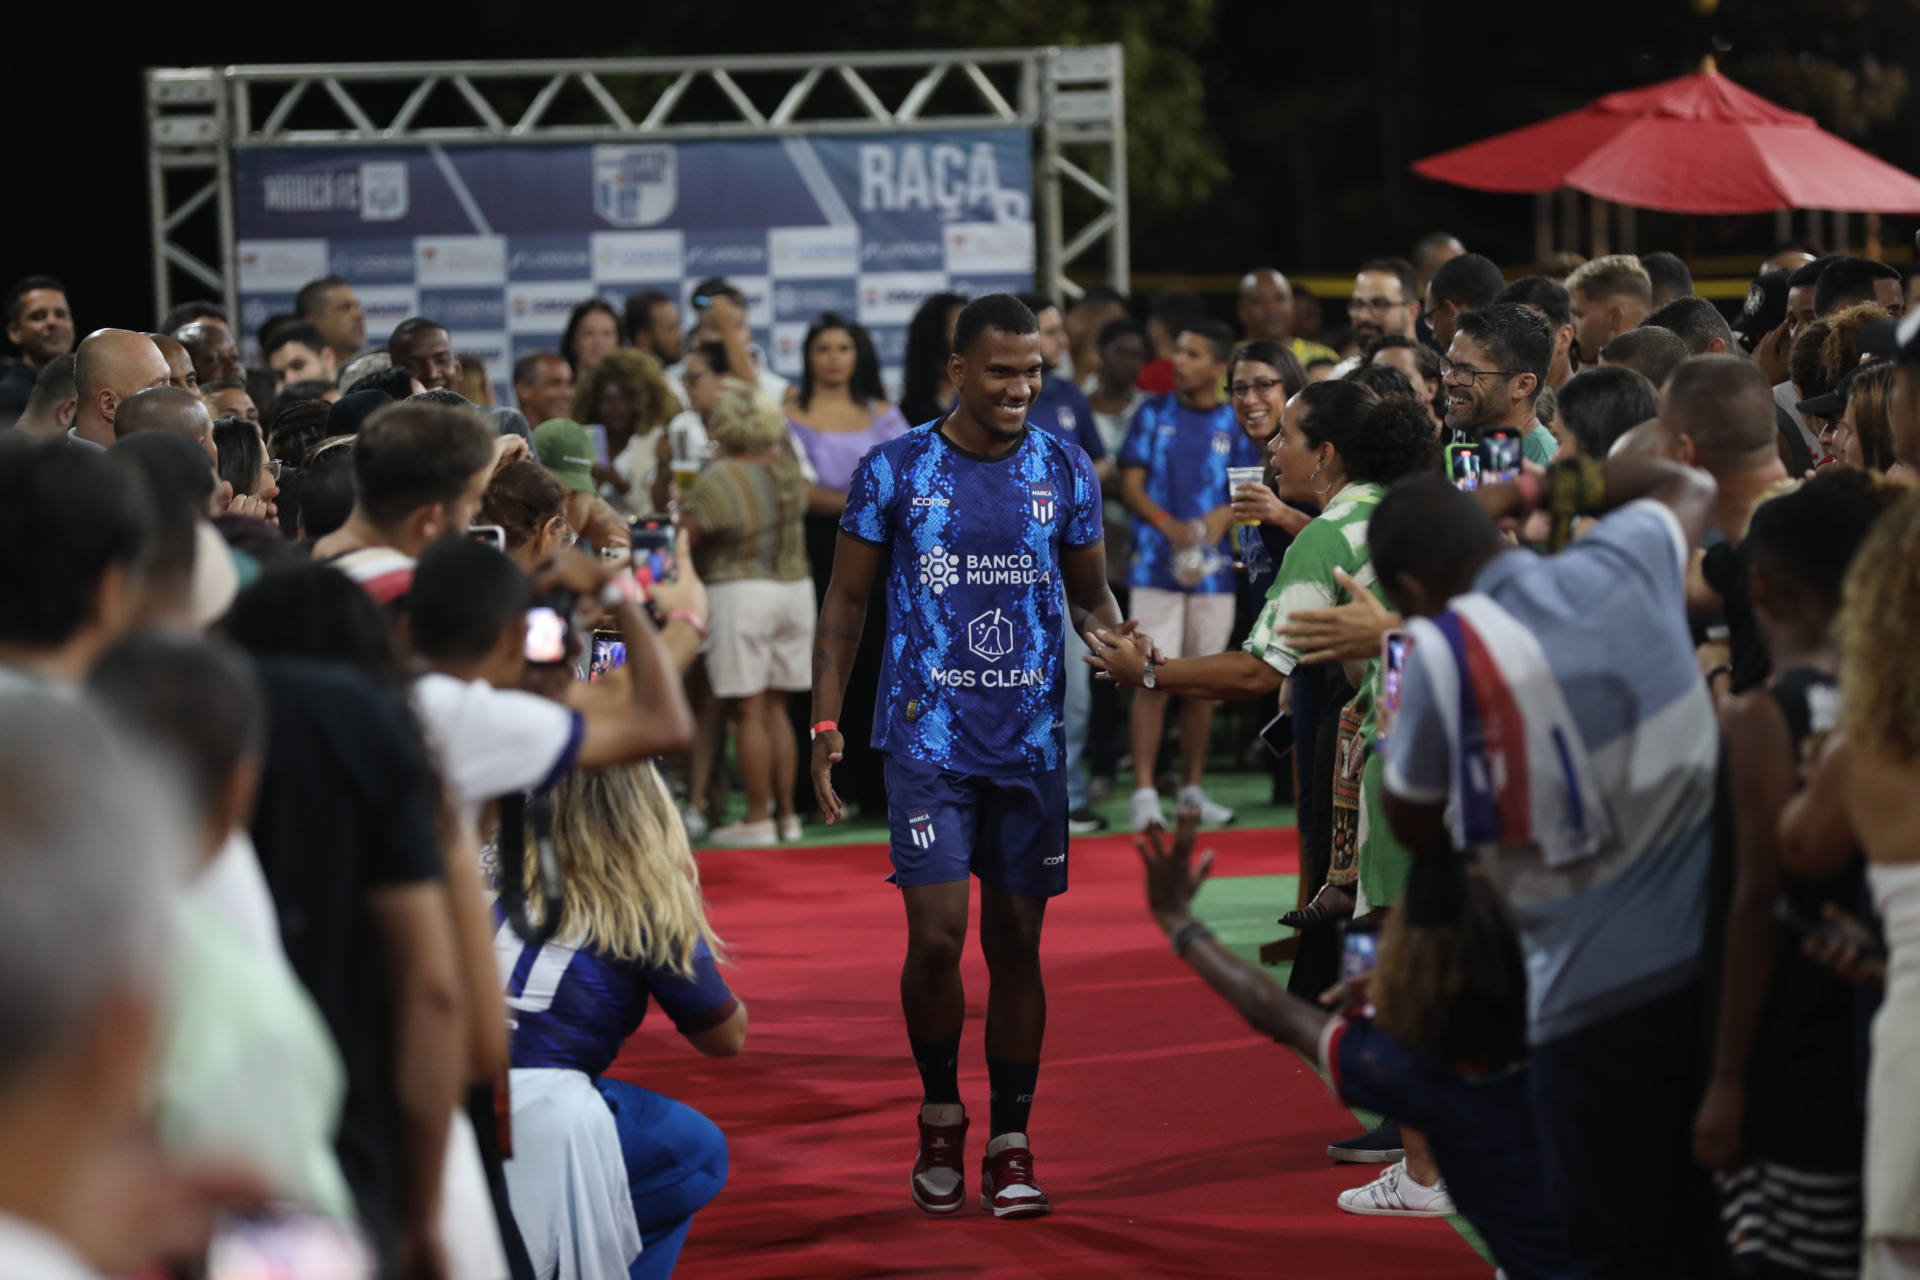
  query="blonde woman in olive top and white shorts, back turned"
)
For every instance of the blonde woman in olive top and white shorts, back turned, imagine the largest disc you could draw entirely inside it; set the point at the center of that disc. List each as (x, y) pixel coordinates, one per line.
(746, 521)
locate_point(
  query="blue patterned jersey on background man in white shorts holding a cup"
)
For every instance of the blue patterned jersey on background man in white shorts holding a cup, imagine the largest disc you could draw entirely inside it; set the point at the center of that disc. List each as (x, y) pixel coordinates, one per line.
(1186, 454)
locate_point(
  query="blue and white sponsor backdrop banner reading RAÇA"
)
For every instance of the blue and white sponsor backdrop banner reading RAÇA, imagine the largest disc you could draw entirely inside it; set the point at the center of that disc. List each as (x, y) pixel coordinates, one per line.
(498, 243)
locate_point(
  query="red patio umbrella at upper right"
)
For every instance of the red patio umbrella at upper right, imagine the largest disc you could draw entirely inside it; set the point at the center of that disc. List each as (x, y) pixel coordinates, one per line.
(1696, 145)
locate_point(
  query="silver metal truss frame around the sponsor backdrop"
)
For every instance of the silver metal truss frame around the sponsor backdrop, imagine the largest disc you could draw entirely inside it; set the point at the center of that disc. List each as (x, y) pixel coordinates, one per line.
(1072, 99)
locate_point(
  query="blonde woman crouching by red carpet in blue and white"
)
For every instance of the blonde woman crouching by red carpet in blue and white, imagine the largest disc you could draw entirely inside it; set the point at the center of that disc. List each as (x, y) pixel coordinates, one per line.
(631, 928)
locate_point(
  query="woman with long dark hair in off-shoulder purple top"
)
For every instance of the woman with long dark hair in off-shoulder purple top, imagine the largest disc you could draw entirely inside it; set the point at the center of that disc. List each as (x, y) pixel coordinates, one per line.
(840, 410)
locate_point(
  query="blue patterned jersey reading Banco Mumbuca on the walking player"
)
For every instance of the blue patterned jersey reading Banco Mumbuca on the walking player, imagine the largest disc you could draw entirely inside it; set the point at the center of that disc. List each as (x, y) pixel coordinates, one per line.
(971, 678)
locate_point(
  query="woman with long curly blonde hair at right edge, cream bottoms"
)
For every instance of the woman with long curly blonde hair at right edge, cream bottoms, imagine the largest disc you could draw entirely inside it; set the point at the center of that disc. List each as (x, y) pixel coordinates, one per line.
(1865, 794)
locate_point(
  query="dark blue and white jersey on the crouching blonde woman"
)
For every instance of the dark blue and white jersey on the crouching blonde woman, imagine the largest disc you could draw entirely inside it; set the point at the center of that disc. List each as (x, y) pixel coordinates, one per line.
(575, 1008)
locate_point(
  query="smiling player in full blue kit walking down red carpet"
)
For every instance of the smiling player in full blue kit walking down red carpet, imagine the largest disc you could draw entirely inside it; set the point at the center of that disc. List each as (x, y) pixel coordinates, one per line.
(976, 523)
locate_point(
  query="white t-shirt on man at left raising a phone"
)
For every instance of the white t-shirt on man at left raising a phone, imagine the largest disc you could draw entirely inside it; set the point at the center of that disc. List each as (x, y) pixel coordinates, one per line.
(494, 742)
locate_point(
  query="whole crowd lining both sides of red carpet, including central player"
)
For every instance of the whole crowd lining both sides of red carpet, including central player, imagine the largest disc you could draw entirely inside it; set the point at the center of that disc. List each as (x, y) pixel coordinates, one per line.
(358, 734)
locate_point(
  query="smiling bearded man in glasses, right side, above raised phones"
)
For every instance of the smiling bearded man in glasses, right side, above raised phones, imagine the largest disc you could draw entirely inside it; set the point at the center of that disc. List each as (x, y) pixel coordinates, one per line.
(1495, 371)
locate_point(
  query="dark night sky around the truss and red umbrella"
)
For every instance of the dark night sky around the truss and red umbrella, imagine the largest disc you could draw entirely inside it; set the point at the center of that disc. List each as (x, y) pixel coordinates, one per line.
(1301, 99)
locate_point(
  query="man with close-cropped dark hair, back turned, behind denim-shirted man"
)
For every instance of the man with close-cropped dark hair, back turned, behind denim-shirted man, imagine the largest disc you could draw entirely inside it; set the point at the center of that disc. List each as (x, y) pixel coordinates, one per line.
(1717, 414)
